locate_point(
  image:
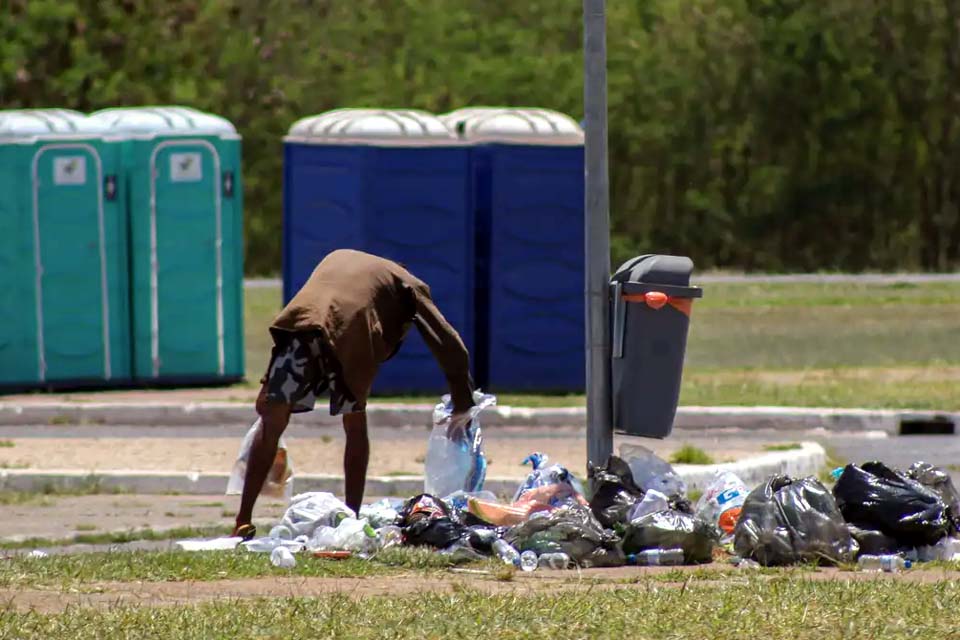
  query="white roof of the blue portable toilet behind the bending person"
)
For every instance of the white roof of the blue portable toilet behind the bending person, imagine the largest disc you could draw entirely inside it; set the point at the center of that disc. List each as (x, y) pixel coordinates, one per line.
(388, 127)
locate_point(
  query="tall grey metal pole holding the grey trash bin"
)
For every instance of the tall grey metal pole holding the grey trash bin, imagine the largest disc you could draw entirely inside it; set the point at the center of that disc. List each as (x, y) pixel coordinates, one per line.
(597, 236)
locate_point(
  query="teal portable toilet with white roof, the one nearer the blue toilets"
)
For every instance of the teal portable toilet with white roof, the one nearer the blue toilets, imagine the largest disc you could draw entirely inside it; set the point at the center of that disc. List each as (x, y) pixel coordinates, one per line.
(183, 179)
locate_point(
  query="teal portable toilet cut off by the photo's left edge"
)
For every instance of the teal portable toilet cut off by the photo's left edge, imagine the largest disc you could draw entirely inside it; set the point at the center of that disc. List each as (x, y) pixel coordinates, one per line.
(63, 263)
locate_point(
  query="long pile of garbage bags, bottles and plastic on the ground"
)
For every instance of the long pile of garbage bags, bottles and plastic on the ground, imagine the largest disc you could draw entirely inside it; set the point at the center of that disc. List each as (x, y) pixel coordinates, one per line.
(637, 512)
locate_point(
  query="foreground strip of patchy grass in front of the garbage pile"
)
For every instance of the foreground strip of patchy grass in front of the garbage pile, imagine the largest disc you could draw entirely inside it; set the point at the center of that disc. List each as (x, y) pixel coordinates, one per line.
(724, 603)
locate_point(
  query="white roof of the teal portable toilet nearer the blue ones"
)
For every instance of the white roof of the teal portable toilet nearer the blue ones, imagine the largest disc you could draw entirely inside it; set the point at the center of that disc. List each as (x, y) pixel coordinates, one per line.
(170, 121)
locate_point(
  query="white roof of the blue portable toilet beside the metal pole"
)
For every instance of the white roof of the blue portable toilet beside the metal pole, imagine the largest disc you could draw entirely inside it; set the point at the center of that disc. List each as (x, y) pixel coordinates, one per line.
(514, 125)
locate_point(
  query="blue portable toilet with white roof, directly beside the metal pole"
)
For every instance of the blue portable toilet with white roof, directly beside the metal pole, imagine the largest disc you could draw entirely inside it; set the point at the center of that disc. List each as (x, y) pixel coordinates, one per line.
(529, 175)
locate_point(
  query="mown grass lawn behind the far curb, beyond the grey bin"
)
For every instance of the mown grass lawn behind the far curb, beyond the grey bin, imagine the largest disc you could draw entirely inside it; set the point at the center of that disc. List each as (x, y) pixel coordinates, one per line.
(799, 344)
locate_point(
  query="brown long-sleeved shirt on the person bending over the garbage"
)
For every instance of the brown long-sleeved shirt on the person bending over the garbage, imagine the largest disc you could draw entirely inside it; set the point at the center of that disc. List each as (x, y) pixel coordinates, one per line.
(364, 305)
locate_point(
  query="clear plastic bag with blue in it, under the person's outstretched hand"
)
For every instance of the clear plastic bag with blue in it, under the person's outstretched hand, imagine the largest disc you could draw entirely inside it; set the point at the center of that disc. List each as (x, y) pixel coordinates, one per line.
(459, 464)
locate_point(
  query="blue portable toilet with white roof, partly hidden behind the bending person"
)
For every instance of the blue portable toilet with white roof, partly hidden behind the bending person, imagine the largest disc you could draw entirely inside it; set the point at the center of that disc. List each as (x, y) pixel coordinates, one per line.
(394, 183)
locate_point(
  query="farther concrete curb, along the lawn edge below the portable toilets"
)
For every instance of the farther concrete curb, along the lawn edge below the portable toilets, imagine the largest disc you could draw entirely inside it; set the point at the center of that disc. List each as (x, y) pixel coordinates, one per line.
(690, 418)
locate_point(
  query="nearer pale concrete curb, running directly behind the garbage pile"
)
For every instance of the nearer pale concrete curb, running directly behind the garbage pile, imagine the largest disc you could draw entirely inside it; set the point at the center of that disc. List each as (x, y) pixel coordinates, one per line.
(809, 459)
